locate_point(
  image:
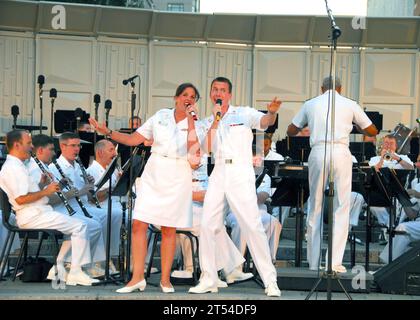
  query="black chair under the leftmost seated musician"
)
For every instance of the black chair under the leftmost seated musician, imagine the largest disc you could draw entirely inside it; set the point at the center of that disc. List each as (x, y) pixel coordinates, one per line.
(12, 230)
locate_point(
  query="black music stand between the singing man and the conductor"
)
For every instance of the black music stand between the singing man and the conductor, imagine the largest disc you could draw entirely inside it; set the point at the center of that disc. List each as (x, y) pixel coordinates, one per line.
(292, 191)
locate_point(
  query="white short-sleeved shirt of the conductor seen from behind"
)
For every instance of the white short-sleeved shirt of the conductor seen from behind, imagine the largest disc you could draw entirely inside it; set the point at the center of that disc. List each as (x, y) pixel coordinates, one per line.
(314, 113)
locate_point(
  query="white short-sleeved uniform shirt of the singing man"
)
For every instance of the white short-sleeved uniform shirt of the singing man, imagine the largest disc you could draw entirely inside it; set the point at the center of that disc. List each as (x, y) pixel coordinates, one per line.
(234, 134)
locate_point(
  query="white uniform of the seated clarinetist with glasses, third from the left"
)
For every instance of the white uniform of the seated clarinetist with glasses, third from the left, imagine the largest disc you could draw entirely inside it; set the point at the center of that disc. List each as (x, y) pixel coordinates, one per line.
(74, 173)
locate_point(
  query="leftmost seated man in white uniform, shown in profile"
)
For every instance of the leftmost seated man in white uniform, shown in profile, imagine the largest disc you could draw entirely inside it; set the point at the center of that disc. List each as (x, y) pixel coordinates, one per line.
(30, 204)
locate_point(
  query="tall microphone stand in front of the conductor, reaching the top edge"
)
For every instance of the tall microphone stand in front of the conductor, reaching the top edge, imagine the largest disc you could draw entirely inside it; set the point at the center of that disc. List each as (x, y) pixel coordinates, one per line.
(329, 275)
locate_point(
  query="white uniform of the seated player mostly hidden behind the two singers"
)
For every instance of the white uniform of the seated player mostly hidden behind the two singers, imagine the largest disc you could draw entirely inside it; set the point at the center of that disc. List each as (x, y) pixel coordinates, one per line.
(228, 257)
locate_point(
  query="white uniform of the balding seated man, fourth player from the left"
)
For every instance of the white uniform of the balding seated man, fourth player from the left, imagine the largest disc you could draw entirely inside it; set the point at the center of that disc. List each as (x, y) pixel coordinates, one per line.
(97, 171)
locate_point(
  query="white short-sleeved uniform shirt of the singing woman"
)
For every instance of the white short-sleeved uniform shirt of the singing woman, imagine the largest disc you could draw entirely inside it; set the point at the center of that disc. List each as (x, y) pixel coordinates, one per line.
(170, 138)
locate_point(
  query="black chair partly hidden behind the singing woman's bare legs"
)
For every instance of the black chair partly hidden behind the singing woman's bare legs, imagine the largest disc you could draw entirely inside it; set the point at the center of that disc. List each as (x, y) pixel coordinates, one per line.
(155, 233)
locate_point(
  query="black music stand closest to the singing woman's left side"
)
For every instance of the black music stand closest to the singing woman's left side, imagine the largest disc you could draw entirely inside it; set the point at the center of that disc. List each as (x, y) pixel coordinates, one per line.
(123, 187)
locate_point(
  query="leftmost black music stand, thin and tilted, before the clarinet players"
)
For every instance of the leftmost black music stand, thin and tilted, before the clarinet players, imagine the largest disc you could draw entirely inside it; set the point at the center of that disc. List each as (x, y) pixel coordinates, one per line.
(108, 176)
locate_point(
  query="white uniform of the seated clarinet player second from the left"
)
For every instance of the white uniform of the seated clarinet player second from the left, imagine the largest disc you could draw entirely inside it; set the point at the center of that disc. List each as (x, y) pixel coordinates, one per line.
(97, 247)
